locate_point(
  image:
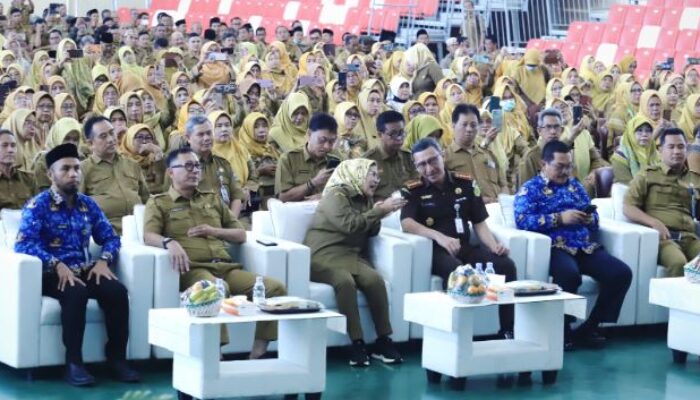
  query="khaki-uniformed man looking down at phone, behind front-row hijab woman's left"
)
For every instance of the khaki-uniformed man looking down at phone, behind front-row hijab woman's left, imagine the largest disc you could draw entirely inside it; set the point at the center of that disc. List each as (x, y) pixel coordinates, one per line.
(302, 173)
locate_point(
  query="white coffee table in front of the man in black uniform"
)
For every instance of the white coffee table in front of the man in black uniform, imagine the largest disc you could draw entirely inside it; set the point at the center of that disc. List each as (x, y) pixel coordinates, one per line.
(449, 349)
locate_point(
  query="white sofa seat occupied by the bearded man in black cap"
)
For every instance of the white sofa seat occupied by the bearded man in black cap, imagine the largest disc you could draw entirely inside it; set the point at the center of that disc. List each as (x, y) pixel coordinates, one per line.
(32, 323)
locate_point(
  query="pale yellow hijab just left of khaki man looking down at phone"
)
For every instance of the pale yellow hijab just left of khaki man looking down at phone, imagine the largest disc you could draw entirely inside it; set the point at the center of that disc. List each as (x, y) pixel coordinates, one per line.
(287, 135)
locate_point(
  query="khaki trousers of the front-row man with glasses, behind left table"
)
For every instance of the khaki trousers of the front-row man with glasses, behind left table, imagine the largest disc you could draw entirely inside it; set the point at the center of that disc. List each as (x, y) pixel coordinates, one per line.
(238, 282)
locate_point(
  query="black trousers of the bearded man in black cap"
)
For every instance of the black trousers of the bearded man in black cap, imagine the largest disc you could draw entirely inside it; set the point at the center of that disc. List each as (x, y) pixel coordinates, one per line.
(112, 297)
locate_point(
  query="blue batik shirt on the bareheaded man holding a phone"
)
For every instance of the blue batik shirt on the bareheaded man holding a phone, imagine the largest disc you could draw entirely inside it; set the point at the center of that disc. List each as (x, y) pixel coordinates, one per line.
(538, 205)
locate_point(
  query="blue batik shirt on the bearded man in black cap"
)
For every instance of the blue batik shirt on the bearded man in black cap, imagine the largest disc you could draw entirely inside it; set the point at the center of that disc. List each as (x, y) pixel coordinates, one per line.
(54, 232)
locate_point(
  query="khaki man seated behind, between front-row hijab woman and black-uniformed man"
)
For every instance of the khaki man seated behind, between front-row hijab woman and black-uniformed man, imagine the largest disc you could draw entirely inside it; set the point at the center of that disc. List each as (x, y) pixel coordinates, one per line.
(394, 163)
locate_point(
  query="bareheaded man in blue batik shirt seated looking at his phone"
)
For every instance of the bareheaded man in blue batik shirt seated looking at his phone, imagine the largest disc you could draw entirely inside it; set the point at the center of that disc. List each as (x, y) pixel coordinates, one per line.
(556, 204)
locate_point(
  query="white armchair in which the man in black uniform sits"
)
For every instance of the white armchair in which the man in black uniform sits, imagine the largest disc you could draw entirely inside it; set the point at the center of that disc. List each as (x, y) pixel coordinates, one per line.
(422, 279)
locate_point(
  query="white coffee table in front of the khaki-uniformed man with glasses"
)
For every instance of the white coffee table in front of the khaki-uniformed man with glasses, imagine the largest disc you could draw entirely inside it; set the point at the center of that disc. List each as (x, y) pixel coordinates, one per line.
(198, 371)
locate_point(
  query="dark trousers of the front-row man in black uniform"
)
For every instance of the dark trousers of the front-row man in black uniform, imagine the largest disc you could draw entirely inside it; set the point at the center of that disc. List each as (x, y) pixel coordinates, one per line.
(444, 263)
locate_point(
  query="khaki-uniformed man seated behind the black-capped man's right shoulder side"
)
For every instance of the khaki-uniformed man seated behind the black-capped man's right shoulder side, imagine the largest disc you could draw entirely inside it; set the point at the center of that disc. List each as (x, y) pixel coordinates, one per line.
(116, 183)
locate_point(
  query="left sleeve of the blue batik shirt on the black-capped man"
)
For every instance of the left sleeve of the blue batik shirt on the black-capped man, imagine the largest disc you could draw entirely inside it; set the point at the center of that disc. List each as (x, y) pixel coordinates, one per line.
(29, 239)
